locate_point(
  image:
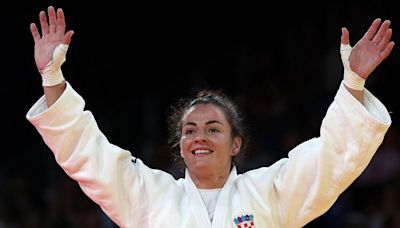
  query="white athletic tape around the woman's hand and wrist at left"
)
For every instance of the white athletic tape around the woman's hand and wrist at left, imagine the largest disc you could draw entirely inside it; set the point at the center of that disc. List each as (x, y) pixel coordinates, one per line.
(51, 73)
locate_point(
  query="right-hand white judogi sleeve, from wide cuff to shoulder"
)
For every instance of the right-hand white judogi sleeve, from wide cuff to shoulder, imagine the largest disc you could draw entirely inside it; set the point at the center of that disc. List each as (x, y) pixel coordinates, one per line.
(308, 182)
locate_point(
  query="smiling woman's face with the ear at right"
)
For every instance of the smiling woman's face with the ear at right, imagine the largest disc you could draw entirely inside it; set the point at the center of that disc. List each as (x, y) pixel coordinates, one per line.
(206, 143)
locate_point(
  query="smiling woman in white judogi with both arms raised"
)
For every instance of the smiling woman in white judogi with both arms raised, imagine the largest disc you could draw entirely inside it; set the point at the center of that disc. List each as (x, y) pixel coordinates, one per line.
(290, 193)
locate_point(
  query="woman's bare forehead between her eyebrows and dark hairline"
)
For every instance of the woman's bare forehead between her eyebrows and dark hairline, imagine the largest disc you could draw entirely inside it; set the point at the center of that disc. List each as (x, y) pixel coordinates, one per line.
(204, 112)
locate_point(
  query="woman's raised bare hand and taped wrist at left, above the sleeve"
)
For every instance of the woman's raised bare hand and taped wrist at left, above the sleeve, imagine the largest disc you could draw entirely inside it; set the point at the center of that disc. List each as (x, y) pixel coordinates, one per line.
(50, 50)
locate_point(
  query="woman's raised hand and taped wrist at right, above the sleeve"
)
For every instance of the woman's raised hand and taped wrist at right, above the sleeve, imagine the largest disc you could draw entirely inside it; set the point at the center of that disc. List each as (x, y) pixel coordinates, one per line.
(374, 47)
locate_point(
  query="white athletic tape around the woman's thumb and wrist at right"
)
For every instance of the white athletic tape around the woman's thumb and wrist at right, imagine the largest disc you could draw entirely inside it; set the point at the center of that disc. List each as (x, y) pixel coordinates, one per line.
(350, 78)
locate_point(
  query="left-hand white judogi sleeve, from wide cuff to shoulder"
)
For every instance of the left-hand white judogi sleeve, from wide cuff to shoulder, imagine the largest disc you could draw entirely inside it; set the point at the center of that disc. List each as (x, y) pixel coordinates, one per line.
(105, 172)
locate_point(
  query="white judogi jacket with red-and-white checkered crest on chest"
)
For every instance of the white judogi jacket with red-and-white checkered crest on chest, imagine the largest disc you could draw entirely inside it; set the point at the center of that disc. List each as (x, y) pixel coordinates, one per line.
(290, 193)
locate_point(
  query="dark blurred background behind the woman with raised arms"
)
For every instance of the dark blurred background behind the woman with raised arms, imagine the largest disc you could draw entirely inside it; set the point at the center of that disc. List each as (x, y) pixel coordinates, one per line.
(280, 61)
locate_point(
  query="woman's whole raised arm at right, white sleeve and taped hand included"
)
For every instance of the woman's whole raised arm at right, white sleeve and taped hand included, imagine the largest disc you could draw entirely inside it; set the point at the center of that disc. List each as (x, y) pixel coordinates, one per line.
(317, 171)
